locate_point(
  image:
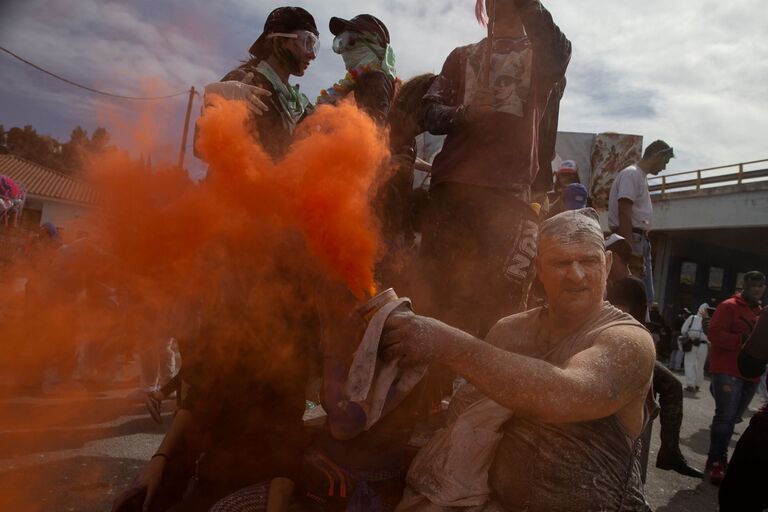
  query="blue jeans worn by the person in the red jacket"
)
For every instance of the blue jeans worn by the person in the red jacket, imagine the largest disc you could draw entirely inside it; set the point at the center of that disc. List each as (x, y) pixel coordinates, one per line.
(732, 396)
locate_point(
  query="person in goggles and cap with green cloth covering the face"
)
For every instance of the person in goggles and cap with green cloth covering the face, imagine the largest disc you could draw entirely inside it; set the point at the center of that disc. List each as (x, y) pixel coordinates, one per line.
(363, 44)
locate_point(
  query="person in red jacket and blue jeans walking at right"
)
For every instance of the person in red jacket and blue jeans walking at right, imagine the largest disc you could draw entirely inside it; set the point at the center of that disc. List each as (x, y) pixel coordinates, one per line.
(731, 325)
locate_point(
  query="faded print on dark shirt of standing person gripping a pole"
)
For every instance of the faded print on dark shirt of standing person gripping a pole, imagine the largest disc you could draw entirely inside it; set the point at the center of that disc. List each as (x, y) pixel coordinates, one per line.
(510, 74)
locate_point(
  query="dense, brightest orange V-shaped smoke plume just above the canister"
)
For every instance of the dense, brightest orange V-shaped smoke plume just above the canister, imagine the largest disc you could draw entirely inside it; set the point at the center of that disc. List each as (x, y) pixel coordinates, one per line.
(323, 187)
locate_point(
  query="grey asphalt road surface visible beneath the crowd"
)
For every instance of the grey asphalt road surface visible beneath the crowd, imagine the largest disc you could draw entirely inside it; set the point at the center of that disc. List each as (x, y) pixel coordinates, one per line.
(86, 447)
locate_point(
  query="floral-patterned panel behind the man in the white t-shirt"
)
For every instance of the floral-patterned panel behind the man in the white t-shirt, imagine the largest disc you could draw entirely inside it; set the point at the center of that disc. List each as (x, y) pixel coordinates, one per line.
(611, 153)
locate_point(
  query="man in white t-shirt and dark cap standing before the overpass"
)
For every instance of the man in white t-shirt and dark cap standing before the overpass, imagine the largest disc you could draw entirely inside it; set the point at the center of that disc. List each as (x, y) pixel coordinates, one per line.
(630, 212)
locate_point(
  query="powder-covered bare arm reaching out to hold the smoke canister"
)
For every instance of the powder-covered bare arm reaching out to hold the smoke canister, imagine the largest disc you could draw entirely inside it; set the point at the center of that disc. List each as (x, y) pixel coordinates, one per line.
(594, 383)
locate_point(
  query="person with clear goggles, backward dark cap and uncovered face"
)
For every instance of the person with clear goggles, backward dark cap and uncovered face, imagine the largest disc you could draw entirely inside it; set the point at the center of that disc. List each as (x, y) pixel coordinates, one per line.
(287, 46)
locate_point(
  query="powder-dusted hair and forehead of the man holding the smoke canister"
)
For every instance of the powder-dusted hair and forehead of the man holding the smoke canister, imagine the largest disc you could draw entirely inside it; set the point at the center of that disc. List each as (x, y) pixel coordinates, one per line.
(572, 227)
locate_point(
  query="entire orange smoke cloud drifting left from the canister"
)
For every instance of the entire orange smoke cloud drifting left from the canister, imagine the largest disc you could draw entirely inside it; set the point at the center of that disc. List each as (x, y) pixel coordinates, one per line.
(230, 245)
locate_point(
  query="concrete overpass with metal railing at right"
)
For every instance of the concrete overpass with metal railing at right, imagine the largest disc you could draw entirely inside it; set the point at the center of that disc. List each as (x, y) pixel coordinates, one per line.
(710, 227)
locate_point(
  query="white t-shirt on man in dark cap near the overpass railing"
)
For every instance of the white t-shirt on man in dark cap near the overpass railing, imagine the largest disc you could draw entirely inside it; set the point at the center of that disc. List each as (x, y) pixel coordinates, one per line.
(632, 184)
